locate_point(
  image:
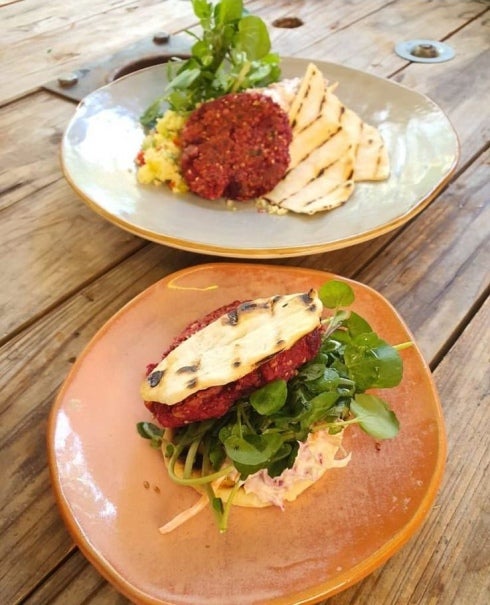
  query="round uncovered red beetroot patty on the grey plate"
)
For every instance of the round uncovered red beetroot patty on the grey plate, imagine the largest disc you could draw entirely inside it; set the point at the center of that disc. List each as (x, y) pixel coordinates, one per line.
(235, 147)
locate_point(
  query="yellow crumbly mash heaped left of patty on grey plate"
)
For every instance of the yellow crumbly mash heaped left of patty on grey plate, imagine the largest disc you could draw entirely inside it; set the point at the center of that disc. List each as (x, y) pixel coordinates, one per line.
(159, 158)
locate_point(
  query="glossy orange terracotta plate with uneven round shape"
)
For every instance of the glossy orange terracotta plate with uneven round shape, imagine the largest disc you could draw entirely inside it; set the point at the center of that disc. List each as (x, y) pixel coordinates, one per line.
(113, 491)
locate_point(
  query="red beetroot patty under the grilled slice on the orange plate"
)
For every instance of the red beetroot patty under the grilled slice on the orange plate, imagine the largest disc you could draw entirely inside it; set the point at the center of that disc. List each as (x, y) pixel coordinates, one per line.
(213, 402)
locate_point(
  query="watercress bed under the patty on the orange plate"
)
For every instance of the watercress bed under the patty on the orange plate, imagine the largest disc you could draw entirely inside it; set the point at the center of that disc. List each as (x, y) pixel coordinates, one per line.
(328, 392)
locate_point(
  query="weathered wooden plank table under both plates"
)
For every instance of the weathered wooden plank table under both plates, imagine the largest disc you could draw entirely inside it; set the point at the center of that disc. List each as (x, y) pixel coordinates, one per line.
(65, 271)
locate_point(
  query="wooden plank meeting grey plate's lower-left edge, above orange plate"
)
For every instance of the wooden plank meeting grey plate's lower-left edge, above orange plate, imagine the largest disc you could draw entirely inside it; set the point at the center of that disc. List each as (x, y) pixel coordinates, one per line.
(54, 252)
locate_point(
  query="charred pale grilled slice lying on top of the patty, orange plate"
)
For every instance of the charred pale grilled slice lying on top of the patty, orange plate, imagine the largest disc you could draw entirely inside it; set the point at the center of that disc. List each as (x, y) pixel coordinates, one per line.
(232, 346)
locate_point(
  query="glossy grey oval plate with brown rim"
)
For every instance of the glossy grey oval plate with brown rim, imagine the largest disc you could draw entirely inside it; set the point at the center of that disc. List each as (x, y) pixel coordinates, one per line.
(104, 136)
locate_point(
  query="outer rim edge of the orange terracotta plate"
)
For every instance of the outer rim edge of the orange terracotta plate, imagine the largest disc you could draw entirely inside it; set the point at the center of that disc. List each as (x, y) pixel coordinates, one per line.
(320, 591)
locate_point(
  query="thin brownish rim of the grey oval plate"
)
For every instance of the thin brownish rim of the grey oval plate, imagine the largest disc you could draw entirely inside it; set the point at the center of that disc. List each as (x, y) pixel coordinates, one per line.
(214, 249)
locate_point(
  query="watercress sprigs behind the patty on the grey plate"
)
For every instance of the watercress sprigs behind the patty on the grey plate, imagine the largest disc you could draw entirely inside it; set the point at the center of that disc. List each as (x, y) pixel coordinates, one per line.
(232, 53)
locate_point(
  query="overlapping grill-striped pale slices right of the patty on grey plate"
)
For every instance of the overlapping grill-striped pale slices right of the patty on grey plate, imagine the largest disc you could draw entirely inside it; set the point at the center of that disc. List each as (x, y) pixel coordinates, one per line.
(331, 149)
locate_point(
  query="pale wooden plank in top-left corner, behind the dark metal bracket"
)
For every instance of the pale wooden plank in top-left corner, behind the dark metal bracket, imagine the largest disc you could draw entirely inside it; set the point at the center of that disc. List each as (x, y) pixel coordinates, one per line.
(78, 34)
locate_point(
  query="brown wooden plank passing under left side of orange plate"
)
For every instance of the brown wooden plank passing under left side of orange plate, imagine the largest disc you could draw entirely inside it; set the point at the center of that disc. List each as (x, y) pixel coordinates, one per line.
(33, 365)
